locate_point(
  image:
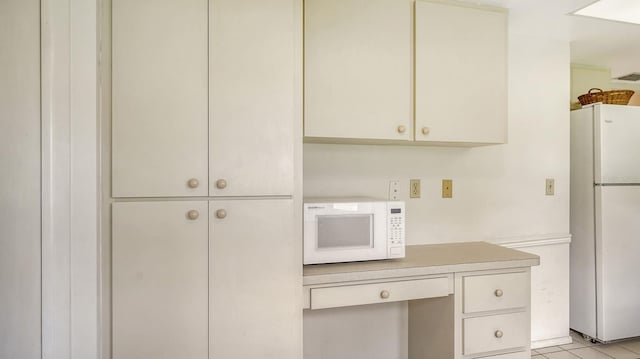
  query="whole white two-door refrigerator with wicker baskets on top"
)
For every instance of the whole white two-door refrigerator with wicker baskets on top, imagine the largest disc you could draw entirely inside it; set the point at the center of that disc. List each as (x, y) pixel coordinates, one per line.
(605, 221)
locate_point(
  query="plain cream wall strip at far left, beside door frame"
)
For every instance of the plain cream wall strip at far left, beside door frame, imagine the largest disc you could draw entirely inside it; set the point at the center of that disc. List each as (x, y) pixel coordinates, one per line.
(20, 179)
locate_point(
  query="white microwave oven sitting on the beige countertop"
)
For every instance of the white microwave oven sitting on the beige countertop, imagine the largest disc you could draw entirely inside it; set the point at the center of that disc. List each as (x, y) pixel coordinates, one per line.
(347, 230)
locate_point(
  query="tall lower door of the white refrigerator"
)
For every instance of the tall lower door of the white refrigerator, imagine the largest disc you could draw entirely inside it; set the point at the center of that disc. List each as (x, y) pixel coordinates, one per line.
(617, 261)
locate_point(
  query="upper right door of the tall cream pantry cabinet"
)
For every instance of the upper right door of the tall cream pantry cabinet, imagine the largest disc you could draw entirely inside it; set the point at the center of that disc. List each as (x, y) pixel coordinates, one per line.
(252, 97)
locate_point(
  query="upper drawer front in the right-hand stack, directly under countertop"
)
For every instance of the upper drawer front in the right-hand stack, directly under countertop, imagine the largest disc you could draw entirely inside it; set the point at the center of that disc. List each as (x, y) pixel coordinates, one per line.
(496, 291)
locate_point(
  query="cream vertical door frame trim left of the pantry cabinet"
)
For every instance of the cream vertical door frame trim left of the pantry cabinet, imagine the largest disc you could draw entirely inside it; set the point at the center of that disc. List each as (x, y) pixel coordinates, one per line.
(70, 179)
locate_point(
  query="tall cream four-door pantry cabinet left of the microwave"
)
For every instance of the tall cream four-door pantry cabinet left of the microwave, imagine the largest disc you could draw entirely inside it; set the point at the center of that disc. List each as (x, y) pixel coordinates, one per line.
(206, 258)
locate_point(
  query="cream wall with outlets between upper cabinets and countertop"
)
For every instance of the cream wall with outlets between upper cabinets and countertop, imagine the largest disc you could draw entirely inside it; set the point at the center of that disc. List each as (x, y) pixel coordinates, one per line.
(498, 191)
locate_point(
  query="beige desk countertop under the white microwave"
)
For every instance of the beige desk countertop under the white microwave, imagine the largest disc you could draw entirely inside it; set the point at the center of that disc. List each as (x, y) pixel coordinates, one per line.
(423, 260)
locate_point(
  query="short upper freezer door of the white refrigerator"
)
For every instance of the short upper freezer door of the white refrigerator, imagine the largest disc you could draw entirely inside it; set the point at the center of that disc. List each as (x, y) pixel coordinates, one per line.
(617, 144)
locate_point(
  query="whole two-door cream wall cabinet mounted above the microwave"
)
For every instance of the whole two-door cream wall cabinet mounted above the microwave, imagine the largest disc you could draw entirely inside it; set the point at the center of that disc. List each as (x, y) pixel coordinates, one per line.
(382, 70)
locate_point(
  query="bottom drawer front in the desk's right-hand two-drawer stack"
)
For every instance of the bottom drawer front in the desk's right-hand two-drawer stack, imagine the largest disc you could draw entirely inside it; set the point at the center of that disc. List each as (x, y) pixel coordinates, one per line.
(495, 332)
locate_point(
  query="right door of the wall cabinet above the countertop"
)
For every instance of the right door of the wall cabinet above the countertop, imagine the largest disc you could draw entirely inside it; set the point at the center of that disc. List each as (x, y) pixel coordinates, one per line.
(461, 73)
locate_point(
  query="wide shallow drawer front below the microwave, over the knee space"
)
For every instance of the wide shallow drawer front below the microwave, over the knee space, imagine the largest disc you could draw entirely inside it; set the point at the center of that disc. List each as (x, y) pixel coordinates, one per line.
(331, 297)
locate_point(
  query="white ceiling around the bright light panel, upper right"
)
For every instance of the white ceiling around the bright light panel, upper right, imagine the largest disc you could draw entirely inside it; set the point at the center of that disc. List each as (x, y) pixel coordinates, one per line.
(602, 43)
